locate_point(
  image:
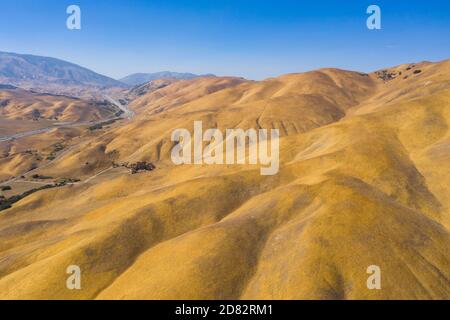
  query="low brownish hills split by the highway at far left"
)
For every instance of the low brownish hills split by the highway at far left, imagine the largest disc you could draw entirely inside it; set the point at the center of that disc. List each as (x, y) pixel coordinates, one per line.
(24, 111)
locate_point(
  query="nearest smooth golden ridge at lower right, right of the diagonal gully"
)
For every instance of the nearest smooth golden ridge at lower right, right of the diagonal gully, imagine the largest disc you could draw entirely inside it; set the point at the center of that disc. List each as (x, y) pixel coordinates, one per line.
(355, 199)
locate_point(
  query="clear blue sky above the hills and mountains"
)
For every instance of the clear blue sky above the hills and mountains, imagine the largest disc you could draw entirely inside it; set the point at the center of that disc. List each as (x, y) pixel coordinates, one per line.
(254, 39)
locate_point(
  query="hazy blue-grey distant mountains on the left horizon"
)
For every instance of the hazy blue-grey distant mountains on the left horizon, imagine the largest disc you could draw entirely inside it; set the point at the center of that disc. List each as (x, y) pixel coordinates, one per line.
(51, 75)
